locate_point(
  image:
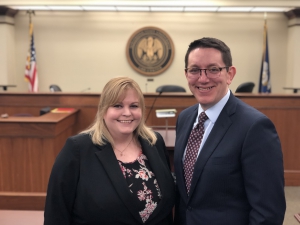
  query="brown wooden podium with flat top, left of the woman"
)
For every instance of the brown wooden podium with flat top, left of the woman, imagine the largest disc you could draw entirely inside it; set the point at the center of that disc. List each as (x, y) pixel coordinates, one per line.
(28, 148)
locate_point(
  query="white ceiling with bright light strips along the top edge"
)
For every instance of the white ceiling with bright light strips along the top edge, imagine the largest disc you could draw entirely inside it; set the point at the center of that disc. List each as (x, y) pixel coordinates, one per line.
(155, 5)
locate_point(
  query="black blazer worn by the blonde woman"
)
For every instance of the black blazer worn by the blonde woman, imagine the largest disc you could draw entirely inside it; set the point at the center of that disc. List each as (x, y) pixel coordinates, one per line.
(87, 186)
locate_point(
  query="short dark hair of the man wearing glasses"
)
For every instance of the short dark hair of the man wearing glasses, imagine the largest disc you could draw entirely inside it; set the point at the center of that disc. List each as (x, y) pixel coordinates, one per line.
(208, 42)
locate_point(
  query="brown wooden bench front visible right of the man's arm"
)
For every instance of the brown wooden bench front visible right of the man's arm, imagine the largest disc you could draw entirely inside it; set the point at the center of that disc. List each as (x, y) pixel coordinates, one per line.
(284, 111)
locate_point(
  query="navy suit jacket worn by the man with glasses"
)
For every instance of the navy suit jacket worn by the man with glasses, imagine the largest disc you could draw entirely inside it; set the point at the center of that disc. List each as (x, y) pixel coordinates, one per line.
(238, 177)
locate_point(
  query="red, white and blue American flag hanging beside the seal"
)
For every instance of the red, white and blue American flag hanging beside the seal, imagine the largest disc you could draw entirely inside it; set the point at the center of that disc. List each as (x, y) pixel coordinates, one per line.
(31, 71)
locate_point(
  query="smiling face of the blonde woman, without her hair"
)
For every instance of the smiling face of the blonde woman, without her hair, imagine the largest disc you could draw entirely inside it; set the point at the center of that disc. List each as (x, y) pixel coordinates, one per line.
(124, 117)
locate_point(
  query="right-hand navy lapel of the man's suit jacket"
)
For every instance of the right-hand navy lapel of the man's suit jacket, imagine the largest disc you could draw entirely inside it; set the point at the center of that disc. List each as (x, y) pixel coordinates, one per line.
(221, 126)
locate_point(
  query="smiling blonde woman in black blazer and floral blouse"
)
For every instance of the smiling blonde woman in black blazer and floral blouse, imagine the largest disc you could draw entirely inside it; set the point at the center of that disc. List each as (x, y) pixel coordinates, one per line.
(115, 172)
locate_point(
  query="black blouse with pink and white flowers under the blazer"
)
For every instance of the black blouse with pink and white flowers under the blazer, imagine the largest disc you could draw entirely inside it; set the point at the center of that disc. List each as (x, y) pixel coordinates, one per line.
(142, 184)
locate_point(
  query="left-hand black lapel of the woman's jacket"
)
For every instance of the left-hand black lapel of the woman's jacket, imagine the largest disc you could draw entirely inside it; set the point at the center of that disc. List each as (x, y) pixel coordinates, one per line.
(112, 168)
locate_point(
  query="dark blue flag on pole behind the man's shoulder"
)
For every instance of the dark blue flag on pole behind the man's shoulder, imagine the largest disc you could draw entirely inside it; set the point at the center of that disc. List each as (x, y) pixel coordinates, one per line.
(265, 79)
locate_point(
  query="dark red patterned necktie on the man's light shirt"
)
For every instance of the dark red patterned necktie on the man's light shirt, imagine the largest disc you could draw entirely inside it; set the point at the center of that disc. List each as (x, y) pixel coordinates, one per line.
(193, 146)
